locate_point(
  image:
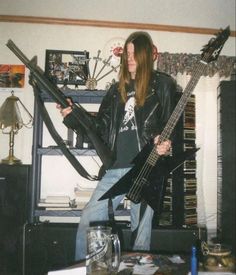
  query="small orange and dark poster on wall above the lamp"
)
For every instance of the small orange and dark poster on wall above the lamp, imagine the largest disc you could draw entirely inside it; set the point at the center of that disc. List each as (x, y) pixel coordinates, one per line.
(12, 76)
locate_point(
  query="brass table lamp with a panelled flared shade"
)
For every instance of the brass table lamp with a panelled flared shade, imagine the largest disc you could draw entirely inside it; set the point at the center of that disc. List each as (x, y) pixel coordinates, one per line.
(11, 122)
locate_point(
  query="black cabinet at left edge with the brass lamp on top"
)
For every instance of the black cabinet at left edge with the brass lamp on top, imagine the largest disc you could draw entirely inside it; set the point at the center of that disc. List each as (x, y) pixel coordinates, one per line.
(14, 182)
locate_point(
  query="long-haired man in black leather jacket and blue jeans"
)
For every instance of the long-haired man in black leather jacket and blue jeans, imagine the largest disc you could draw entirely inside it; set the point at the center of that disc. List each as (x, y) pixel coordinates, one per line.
(133, 112)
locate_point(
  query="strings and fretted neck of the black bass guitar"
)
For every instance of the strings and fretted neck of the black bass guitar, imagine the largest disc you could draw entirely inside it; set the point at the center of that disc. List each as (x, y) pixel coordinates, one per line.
(135, 191)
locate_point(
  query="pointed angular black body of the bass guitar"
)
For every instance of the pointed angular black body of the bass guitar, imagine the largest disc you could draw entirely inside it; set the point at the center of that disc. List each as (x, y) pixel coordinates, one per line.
(145, 182)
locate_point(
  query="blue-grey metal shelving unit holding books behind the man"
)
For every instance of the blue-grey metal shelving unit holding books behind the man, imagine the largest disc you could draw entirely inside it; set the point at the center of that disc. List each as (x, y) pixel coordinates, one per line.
(39, 152)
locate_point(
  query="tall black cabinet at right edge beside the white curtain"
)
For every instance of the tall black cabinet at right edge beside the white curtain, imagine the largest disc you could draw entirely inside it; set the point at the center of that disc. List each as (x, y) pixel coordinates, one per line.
(226, 193)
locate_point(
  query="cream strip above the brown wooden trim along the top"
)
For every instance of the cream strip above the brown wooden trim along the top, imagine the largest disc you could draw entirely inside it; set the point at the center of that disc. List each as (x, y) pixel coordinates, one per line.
(201, 13)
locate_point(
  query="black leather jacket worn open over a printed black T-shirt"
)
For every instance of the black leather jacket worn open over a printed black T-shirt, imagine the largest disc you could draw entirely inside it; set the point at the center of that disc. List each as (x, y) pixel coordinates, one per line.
(150, 118)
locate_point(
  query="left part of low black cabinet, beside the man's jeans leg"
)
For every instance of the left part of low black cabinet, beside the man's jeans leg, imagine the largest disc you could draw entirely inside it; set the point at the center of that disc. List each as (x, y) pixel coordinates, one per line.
(47, 247)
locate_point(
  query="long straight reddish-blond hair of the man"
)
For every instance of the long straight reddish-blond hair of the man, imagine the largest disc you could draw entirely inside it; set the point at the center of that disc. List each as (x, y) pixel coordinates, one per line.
(143, 54)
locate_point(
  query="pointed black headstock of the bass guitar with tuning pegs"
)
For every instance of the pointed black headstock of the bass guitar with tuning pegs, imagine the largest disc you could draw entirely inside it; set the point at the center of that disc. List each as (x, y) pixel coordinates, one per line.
(211, 51)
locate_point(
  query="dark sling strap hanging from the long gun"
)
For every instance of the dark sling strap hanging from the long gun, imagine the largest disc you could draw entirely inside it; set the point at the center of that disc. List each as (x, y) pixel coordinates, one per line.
(57, 138)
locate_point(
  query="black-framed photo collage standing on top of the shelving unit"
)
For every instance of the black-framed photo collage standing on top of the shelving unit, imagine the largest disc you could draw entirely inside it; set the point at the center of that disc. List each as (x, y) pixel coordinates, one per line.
(67, 67)
